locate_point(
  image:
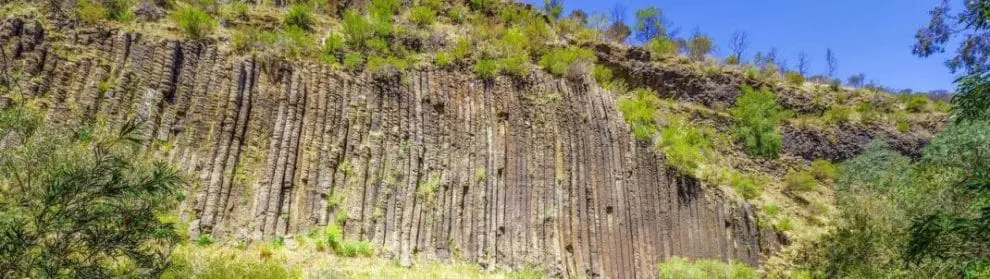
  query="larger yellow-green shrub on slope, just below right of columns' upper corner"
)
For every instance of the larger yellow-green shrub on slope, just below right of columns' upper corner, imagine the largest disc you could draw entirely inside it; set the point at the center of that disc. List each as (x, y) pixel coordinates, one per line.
(684, 145)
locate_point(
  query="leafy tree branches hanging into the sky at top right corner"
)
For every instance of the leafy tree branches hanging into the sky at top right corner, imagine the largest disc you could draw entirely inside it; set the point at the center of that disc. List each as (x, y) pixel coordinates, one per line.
(971, 26)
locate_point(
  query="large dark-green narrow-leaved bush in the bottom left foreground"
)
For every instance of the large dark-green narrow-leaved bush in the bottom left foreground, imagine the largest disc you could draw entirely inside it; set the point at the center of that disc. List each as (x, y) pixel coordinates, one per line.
(90, 192)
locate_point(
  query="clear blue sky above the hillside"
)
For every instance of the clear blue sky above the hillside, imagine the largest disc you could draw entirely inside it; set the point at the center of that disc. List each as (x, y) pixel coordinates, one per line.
(869, 36)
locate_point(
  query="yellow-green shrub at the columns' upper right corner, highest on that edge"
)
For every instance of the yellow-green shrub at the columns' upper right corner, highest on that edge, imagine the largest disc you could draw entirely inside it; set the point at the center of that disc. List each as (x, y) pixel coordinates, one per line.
(638, 108)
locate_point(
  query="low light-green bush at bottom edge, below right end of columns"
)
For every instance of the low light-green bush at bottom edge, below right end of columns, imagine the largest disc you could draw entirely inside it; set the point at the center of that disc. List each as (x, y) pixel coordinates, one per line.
(681, 268)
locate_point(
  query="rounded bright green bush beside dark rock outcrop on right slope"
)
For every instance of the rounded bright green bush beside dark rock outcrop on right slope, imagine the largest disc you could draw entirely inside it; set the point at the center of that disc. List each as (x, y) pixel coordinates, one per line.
(757, 115)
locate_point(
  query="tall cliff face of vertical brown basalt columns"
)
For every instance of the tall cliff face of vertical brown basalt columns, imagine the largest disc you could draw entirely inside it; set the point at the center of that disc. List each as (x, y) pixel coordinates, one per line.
(428, 163)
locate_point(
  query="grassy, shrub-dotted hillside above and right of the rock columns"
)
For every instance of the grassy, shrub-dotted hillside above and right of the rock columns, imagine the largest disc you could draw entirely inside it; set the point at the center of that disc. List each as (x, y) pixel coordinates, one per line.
(687, 107)
